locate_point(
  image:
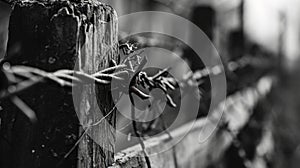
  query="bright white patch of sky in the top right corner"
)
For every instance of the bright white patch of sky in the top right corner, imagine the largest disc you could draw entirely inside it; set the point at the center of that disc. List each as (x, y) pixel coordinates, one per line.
(263, 24)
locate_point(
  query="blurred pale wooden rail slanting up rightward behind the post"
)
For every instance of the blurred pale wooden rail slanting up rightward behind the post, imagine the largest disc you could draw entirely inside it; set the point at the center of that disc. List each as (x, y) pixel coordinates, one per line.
(237, 112)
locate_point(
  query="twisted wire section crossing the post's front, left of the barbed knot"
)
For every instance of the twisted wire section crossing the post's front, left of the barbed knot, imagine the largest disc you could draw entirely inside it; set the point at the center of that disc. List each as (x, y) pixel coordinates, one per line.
(17, 79)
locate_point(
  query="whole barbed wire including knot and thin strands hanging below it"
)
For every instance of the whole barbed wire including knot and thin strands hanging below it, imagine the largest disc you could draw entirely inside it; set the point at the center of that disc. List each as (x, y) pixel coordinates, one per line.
(16, 79)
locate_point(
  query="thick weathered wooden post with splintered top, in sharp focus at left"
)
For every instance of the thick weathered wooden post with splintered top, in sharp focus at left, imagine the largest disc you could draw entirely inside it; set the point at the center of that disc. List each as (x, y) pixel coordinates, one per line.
(54, 35)
